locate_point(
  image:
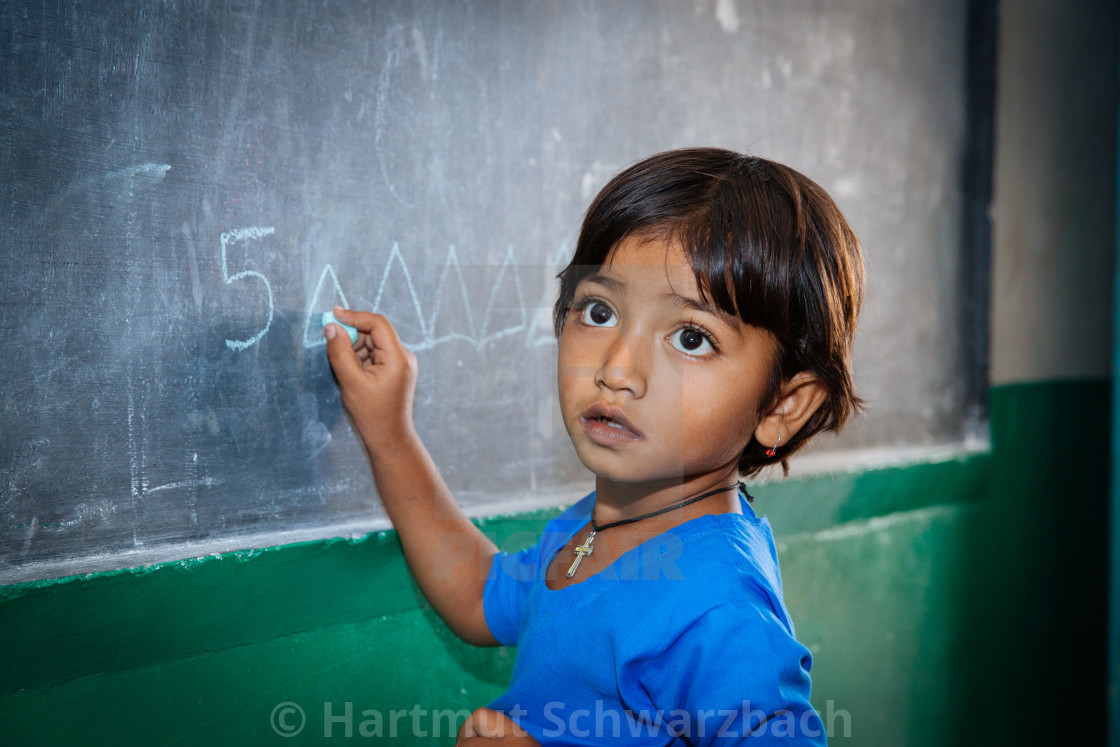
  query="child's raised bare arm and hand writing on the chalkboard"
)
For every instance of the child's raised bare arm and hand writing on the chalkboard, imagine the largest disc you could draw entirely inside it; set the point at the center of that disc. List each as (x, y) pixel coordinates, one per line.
(449, 556)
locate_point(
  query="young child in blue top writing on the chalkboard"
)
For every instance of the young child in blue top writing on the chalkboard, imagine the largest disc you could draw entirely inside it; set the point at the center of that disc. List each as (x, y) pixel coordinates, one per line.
(705, 331)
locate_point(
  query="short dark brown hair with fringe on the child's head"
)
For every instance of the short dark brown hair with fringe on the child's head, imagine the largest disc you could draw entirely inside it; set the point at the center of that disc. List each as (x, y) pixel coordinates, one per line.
(767, 244)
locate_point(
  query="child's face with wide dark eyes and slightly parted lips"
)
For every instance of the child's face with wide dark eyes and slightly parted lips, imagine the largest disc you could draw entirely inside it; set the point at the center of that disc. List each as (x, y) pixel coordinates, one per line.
(655, 384)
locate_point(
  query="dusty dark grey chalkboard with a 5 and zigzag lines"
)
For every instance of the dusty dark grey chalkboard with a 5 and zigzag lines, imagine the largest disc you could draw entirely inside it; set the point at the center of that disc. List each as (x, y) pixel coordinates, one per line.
(188, 185)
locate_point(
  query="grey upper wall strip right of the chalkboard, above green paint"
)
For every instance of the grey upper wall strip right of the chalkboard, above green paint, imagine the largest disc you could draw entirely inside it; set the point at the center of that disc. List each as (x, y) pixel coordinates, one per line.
(1054, 190)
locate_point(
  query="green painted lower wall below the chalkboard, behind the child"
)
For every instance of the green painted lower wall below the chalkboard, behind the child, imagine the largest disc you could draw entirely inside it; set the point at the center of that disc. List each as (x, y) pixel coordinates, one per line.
(954, 603)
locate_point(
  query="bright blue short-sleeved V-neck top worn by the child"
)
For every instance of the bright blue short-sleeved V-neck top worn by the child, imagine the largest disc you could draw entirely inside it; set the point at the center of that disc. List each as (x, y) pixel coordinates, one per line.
(683, 640)
